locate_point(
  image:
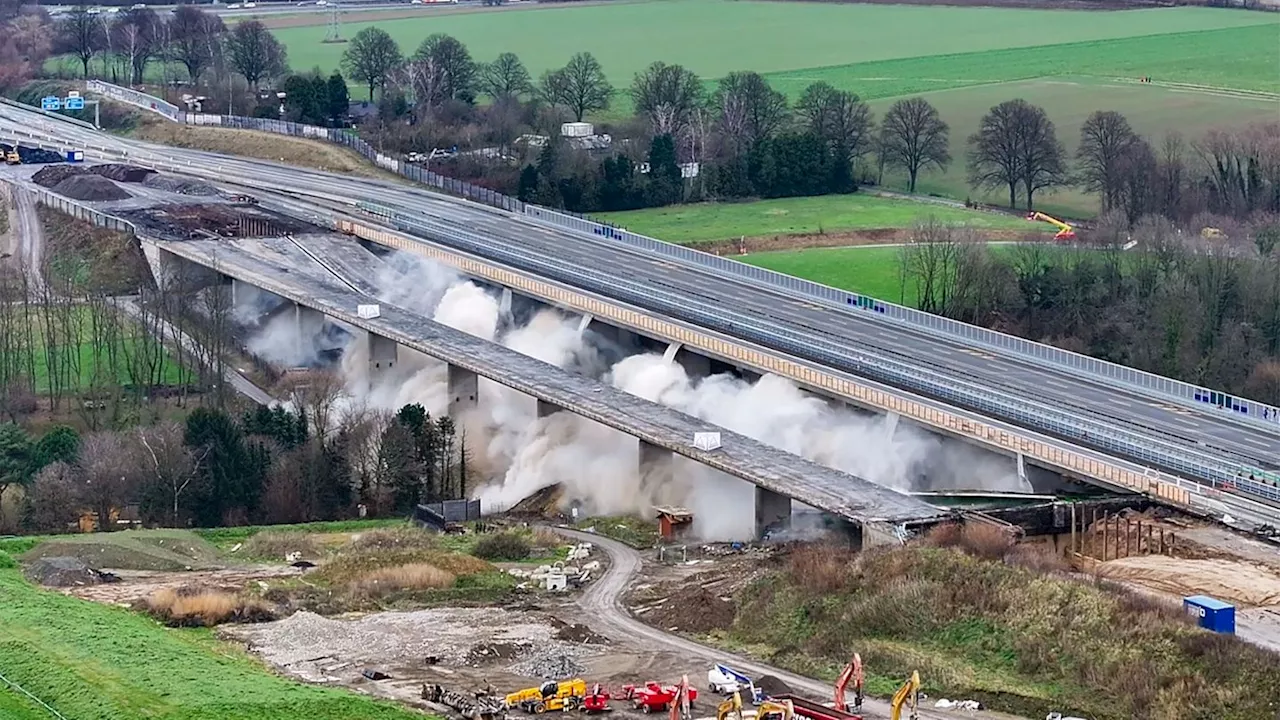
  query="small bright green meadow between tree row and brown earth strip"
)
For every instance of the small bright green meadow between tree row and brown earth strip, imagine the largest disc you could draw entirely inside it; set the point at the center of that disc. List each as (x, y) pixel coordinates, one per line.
(710, 222)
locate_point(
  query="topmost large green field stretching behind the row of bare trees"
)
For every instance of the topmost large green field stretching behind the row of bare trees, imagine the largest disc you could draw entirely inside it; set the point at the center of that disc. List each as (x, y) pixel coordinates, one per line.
(714, 38)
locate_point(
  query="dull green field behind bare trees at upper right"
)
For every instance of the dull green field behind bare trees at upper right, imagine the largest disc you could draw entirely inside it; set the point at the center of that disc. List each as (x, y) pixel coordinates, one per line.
(1151, 110)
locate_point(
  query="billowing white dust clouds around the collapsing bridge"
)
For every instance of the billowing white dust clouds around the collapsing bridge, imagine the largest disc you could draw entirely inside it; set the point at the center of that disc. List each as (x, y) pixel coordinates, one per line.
(597, 467)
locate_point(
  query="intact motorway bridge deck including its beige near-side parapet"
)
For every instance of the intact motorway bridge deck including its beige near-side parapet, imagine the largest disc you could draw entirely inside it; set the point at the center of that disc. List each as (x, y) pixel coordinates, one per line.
(821, 343)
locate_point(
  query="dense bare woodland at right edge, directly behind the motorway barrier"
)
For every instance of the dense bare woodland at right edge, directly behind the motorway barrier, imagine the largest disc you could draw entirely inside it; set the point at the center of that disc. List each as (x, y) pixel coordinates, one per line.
(1201, 311)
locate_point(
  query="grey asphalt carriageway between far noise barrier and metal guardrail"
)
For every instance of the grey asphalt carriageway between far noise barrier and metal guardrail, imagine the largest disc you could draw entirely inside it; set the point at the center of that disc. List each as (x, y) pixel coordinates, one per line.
(1247, 443)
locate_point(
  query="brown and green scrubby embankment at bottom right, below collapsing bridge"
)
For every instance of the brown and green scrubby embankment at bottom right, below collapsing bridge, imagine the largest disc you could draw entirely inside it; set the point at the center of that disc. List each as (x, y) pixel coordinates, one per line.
(1020, 640)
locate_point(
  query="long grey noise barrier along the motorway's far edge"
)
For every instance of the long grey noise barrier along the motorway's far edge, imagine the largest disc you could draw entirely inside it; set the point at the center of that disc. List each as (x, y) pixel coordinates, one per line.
(1032, 352)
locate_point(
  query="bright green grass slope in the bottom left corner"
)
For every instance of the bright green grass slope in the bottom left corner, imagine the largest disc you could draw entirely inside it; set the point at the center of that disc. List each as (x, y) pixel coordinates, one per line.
(90, 660)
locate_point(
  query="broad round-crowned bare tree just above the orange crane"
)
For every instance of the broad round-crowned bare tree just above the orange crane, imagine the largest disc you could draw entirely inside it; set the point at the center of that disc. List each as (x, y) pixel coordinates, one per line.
(1017, 145)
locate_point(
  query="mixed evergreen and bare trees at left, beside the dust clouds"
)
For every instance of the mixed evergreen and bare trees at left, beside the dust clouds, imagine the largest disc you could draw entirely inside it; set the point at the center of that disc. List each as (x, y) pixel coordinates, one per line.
(268, 466)
